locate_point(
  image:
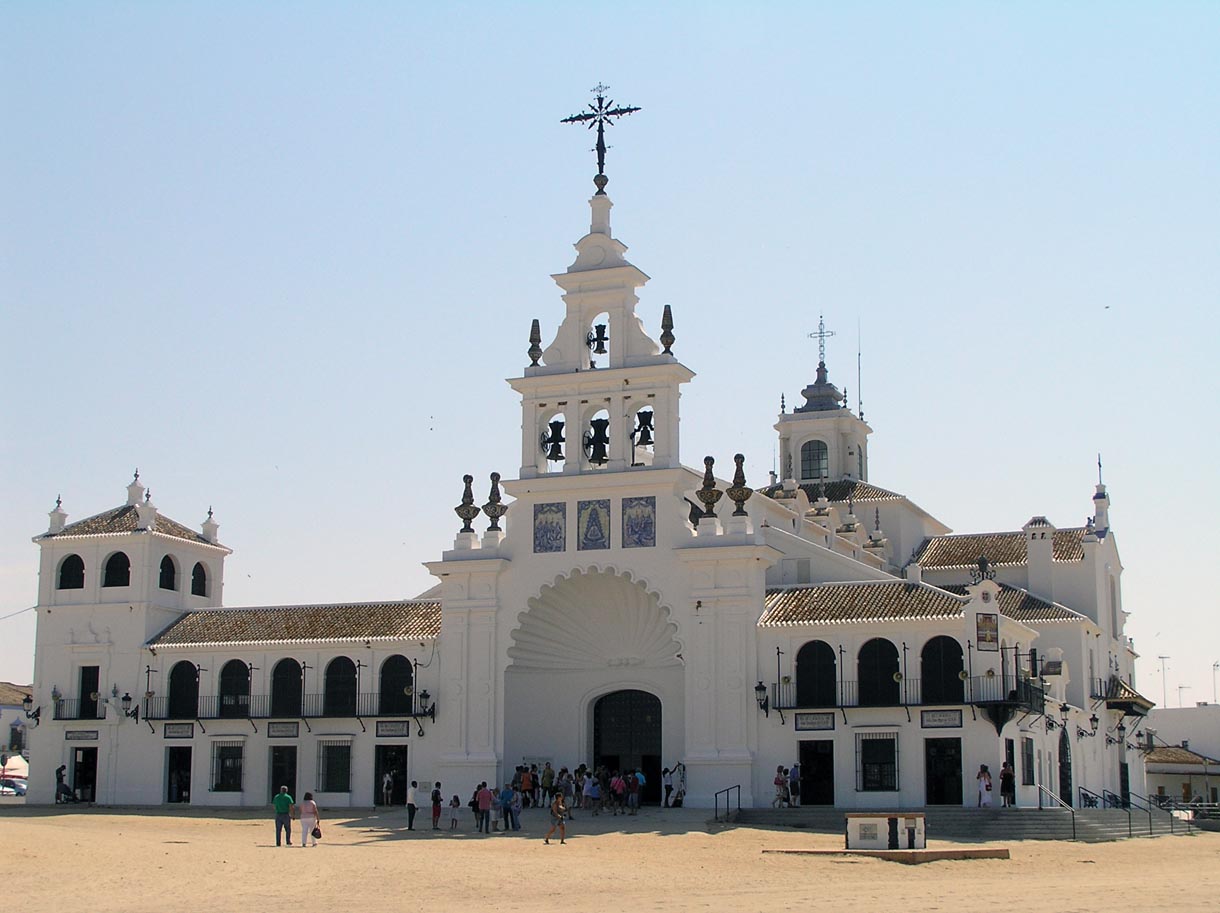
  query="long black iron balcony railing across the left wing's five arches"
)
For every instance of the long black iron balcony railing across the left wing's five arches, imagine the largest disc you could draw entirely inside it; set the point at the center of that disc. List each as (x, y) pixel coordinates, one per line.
(259, 707)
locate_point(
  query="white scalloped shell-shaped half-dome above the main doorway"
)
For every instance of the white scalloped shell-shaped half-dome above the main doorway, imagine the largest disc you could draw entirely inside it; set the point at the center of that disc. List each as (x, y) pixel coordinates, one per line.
(594, 621)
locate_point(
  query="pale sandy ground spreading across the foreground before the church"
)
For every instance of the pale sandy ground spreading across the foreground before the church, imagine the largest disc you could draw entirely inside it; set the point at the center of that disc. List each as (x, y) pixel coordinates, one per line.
(135, 861)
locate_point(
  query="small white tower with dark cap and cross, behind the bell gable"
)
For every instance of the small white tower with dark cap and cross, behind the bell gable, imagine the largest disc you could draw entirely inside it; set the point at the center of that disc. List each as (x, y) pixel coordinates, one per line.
(823, 441)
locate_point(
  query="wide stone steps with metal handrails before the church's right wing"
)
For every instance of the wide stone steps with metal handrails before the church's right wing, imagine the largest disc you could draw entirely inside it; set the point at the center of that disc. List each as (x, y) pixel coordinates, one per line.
(984, 825)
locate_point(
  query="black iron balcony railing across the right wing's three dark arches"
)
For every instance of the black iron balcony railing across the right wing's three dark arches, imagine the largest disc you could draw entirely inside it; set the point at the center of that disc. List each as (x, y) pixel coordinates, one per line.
(912, 693)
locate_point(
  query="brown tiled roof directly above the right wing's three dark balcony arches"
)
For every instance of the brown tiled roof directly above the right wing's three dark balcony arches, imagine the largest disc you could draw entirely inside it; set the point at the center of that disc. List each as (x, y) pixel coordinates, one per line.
(841, 604)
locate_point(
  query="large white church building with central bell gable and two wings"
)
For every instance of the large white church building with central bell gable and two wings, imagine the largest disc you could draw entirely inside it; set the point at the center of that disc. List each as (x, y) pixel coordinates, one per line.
(612, 605)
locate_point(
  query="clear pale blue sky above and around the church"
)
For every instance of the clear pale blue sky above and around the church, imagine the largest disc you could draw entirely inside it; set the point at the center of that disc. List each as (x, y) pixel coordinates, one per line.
(281, 258)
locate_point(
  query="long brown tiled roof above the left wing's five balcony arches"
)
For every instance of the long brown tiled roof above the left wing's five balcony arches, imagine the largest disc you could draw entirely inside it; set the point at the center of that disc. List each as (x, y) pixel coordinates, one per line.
(407, 621)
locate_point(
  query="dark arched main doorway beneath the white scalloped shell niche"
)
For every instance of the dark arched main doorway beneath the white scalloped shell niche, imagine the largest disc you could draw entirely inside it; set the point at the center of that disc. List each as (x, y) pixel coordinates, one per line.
(628, 735)
